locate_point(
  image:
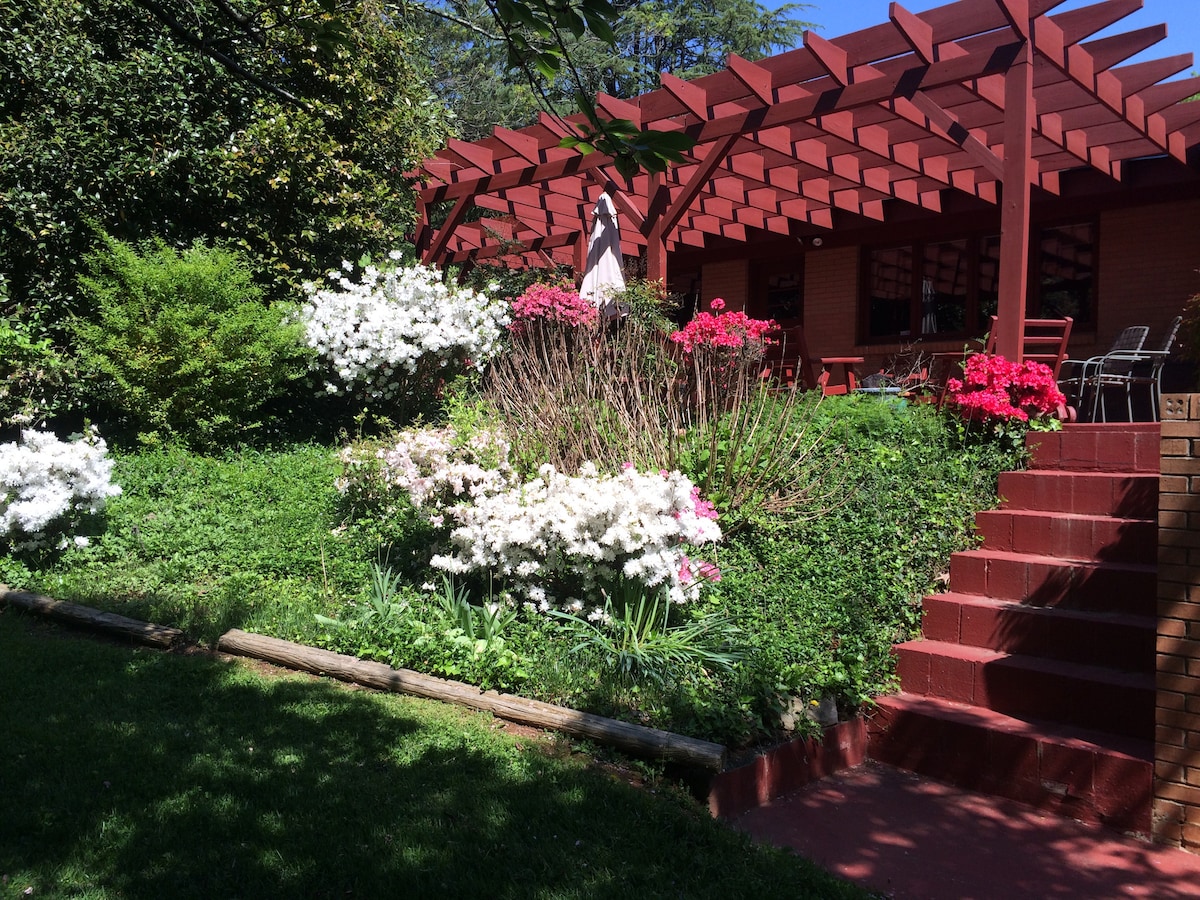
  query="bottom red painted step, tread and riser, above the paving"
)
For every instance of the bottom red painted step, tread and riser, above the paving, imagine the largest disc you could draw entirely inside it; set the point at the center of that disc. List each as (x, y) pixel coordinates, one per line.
(1089, 776)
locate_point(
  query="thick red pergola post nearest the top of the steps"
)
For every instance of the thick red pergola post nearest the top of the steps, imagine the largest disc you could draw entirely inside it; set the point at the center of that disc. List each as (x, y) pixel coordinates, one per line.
(1015, 218)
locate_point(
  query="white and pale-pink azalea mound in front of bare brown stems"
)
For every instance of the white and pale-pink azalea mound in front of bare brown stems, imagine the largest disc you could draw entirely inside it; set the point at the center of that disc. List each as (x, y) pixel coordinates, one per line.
(589, 531)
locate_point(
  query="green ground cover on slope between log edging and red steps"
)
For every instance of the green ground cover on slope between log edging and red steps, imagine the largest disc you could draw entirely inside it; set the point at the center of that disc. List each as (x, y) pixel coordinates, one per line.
(262, 541)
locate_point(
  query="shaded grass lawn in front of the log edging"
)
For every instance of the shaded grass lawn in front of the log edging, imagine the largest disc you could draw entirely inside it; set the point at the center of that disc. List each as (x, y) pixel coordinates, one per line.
(133, 773)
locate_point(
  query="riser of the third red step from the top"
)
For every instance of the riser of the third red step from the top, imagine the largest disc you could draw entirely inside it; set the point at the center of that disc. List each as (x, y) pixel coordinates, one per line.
(1096, 539)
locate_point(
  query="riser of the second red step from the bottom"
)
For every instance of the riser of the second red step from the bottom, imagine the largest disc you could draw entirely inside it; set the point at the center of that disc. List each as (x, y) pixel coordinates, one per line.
(1012, 688)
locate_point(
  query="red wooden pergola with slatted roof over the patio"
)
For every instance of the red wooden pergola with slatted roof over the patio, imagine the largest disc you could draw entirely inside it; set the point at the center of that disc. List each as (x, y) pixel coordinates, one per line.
(987, 98)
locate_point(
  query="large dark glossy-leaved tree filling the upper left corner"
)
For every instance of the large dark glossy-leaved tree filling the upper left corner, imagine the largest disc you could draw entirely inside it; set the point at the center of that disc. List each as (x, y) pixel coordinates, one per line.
(296, 154)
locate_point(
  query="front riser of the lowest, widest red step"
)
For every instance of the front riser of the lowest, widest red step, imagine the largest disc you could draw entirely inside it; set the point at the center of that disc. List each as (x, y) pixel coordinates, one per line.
(1077, 782)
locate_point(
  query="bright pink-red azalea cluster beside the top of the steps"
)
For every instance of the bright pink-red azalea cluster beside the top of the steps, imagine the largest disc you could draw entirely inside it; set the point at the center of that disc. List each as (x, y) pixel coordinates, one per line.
(994, 389)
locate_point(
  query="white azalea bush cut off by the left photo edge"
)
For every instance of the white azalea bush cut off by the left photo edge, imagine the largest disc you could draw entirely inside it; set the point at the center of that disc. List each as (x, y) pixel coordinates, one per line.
(46, 485)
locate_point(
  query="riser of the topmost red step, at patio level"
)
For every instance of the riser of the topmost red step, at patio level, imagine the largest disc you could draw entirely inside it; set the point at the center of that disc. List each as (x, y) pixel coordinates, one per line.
(1096, 448)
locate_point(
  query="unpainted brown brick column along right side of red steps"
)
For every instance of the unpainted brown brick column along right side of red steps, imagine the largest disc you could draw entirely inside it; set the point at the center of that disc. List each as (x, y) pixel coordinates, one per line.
(1177, 815)
